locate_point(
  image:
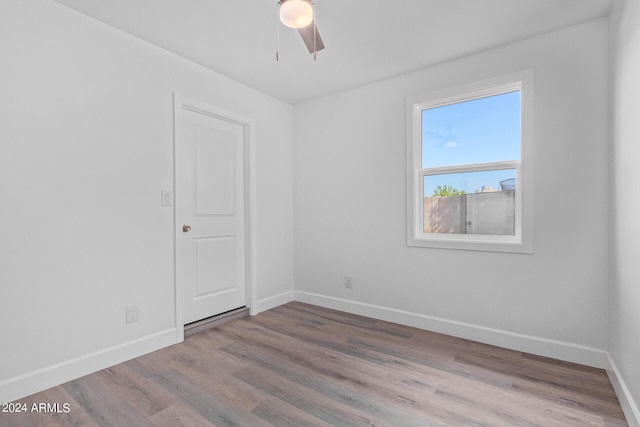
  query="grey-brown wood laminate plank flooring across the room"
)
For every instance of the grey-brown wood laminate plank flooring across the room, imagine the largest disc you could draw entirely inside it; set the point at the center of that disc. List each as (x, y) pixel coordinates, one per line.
(301, 365)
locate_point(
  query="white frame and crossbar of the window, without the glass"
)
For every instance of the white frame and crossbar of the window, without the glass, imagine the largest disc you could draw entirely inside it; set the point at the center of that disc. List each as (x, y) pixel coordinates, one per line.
(522, 240)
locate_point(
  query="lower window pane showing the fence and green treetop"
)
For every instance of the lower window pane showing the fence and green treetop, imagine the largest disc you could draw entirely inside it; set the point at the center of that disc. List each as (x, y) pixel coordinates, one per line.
(470, 203)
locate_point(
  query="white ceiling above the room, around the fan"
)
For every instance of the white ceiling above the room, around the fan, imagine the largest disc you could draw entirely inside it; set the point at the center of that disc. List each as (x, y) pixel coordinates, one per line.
(366, 40)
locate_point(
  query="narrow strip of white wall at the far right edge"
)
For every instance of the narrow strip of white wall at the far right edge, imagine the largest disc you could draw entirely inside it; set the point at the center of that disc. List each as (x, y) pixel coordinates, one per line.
(624, 300)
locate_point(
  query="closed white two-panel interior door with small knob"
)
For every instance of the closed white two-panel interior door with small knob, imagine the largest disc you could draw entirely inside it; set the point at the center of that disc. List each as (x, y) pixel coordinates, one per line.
(210, 208)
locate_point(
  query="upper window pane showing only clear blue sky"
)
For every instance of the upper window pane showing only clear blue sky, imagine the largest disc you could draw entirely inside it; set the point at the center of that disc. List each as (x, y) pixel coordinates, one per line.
(478, 131)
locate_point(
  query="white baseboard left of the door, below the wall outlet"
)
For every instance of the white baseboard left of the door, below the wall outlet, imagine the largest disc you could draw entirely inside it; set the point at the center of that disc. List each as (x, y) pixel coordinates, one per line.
(50, 376)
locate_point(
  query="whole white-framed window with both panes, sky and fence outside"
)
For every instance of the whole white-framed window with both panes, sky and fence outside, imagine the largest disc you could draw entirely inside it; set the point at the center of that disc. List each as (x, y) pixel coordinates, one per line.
(470, 161)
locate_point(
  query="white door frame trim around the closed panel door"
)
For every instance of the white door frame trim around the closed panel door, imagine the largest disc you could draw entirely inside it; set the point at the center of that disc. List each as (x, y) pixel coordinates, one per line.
(184, 103)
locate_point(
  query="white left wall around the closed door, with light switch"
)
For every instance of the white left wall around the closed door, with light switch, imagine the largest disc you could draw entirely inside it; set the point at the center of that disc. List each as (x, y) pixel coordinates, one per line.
(86, 145)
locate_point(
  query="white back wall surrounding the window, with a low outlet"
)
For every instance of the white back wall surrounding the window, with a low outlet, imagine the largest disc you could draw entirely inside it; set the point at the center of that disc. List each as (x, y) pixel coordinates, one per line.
(349, 207)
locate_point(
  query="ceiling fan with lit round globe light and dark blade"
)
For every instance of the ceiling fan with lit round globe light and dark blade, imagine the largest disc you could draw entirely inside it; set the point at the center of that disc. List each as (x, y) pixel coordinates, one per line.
(300, 14)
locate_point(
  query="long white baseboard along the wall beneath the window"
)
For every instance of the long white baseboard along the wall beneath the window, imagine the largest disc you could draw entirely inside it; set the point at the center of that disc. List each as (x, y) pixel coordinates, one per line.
(530, 344)
